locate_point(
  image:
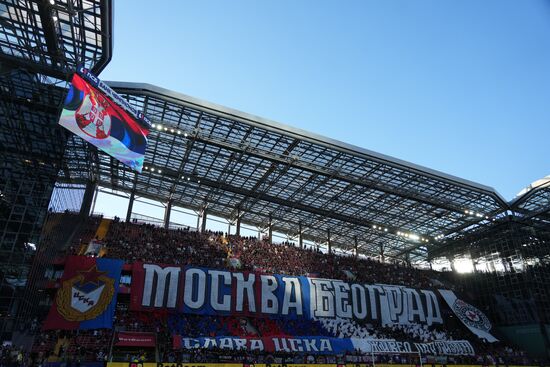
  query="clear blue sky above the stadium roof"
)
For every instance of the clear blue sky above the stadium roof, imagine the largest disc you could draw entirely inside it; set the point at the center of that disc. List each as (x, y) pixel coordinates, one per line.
(461, 86)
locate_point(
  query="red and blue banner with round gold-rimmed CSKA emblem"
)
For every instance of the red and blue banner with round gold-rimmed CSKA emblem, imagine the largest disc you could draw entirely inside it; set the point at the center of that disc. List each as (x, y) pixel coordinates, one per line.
(87, 296)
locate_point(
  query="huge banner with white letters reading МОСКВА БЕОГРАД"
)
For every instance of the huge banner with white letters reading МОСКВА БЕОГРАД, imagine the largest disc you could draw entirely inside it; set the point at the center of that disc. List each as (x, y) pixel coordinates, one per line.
(217, 292)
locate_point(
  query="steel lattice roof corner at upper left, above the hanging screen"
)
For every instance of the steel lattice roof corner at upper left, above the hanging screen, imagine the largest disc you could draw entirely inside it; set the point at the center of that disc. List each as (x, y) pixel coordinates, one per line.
(53, 37)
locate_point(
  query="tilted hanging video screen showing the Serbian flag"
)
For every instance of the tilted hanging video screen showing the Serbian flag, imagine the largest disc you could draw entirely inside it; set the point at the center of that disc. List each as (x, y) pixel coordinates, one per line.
(90, 111)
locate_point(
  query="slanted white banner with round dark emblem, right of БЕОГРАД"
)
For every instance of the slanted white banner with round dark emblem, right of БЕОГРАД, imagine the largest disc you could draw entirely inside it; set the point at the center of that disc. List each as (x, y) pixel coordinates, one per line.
(473, 318)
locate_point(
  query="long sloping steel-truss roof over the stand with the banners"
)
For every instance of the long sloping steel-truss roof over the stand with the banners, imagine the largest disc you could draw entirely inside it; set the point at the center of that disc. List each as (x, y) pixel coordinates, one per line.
(235, 164)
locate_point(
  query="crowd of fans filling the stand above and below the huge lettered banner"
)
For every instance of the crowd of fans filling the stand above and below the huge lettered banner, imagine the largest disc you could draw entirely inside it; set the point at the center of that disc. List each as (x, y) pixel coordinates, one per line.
(147, 243)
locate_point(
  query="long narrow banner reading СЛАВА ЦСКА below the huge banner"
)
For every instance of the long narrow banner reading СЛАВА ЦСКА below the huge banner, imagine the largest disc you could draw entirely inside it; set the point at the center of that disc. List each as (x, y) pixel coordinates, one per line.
(324, 345)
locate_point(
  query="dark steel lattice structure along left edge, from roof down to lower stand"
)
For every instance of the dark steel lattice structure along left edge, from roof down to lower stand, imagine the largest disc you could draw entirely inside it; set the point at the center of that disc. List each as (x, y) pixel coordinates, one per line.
(41, 44)
